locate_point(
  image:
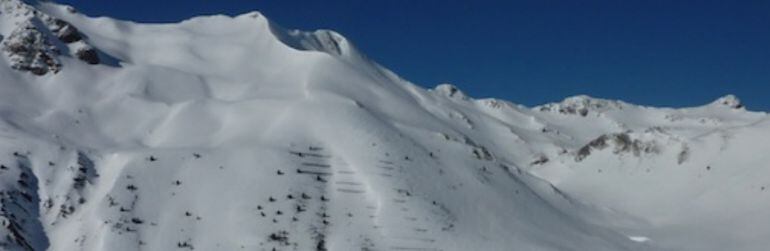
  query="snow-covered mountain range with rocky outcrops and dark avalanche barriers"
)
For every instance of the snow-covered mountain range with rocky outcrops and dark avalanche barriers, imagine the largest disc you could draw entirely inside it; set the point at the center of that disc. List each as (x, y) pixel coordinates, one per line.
(233, 133)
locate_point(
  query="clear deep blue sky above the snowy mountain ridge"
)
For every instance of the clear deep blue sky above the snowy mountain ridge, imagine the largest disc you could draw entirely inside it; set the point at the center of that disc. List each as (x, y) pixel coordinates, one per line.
(656, 52)
